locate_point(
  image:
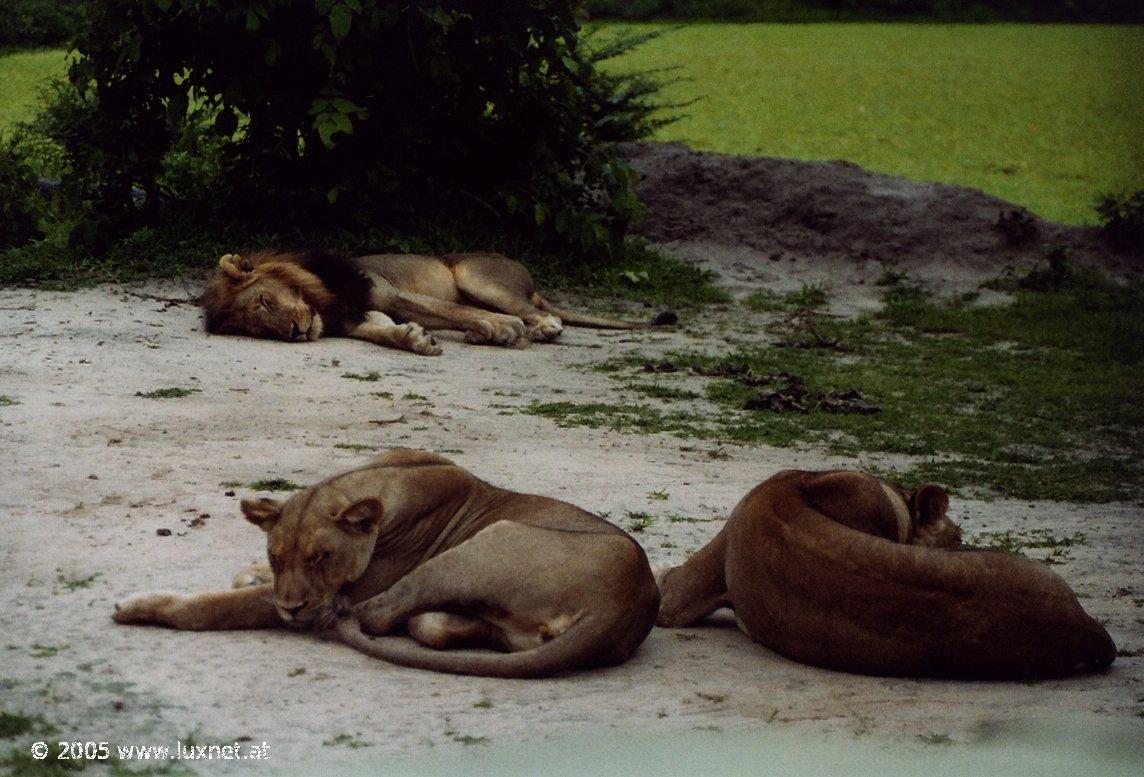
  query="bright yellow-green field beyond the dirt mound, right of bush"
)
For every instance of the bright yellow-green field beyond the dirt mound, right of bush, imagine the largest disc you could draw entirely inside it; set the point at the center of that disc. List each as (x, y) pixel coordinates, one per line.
(1045, 116)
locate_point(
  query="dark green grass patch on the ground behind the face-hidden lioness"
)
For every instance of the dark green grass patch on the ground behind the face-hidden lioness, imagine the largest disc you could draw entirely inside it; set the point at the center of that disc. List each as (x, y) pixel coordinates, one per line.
(1032, 400)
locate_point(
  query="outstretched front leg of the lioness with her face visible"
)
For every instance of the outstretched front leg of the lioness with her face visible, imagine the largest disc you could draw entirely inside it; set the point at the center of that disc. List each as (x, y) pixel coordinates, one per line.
(237, 609)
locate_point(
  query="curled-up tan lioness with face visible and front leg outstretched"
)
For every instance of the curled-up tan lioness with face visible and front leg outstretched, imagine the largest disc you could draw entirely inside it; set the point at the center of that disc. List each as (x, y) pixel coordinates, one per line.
(412, 541)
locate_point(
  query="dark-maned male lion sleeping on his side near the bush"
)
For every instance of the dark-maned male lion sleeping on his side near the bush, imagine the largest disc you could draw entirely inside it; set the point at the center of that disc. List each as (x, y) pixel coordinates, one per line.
(387, 299)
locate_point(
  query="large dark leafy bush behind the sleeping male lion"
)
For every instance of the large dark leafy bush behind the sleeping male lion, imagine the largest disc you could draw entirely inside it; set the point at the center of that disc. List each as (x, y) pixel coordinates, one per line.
(349, 115)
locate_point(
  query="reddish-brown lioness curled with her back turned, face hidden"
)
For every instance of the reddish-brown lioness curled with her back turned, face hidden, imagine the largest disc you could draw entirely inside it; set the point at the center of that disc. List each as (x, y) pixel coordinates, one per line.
(845, 572)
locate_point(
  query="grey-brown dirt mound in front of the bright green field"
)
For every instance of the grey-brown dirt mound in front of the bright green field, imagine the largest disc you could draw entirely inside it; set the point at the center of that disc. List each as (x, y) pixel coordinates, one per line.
(769, 213)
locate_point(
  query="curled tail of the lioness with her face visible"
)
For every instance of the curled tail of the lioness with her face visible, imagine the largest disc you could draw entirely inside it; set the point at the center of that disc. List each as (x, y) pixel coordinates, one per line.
(567, 652)
